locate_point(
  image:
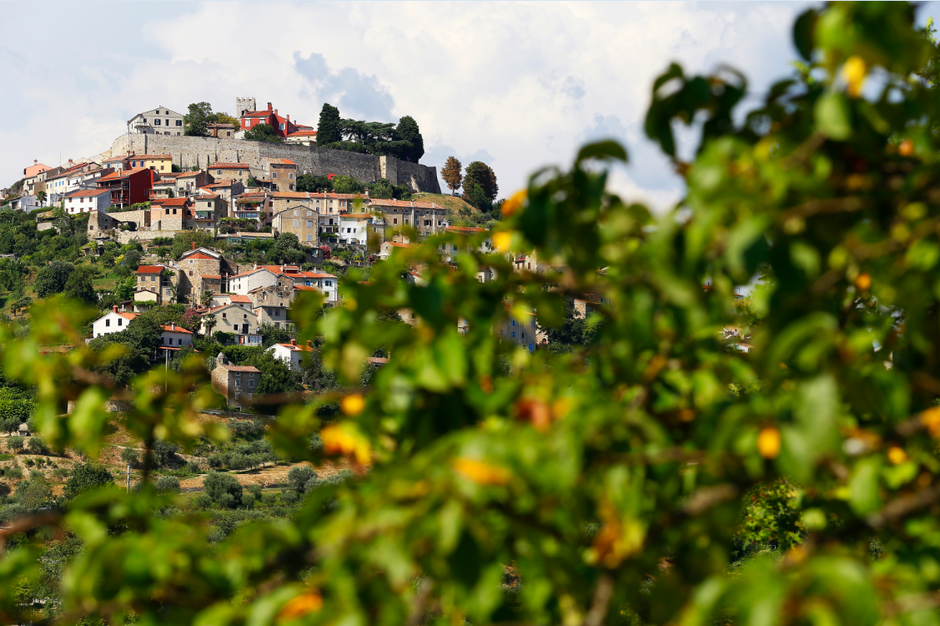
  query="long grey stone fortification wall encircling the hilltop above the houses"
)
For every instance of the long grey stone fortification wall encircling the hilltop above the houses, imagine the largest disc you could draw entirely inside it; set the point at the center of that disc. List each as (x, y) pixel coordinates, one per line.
(188, 152)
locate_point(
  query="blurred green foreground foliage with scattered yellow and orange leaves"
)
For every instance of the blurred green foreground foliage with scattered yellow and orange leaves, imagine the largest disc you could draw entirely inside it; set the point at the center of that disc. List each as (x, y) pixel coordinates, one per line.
(698, 460)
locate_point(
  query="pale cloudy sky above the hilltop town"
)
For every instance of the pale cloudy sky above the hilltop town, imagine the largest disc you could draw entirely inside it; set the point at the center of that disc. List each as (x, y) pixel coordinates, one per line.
(519, 86)
